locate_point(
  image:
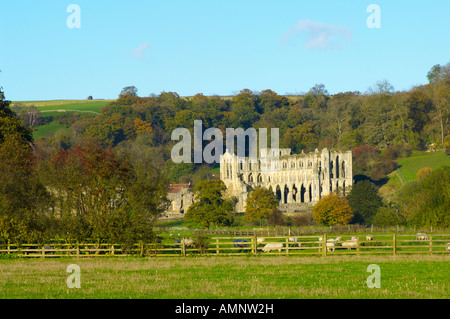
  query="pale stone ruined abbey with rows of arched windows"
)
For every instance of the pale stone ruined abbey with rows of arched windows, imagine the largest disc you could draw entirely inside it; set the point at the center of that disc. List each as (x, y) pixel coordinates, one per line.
(298, 179)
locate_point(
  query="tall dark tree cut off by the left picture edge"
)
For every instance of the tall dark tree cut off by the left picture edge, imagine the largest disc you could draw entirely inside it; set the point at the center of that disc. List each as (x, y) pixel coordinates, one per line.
(22, 196)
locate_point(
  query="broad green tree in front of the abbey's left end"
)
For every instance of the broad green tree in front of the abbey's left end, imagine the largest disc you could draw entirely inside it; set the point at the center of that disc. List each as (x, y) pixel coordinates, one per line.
(209, 208)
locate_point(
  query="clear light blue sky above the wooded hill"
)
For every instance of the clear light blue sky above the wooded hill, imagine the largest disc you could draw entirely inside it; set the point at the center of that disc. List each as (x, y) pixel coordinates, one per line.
(48, 51)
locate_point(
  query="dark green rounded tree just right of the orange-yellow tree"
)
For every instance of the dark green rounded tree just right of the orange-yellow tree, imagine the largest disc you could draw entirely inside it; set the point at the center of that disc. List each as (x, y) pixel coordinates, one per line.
(364, 201)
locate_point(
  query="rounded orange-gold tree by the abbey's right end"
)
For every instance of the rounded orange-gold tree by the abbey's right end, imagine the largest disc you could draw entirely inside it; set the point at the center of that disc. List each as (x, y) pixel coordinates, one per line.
(332, 210)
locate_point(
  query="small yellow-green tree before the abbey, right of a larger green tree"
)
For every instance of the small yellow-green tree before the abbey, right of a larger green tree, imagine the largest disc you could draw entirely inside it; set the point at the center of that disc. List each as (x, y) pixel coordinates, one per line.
(260, 205)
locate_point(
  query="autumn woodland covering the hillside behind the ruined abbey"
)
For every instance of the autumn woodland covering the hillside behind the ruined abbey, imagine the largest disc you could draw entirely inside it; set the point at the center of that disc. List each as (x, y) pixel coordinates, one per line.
(379, 125)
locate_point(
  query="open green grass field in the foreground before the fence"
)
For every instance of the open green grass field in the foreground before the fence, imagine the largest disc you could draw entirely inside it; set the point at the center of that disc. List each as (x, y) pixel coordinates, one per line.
(420, 277)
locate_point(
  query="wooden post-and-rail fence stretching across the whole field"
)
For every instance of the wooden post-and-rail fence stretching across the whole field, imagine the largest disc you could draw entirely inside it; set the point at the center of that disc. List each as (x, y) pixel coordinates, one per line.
(388, 244)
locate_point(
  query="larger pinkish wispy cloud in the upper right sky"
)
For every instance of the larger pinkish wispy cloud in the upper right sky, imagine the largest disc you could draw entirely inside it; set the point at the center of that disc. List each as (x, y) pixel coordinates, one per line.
(318, 35)
